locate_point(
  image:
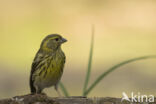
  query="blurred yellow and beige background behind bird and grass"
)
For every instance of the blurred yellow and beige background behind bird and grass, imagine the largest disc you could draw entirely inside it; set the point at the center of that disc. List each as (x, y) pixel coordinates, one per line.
(124, 29)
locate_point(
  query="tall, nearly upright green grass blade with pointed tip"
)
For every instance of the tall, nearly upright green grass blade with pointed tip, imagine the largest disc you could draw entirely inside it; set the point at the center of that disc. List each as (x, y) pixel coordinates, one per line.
(89, 62)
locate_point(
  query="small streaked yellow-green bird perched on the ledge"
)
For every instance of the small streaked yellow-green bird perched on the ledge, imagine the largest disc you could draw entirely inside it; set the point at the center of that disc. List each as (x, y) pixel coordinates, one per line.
(48, 64)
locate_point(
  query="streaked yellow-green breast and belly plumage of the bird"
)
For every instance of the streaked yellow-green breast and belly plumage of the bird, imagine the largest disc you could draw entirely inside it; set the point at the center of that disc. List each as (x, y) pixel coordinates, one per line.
(51, 70)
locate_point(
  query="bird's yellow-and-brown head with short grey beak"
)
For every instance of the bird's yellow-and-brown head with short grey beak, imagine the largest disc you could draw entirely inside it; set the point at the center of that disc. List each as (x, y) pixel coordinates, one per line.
(52, 42)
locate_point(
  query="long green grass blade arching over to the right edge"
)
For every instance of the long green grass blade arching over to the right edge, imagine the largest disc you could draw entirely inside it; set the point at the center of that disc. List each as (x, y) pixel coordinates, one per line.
(112, 69)
